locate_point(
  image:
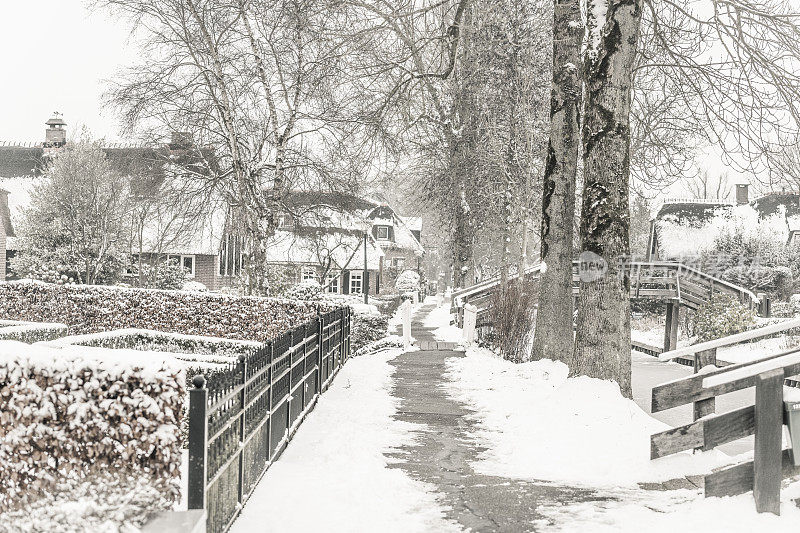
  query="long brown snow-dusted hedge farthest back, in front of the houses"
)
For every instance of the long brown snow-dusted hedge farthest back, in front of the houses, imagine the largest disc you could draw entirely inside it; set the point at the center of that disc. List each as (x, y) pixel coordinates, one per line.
(91, 309)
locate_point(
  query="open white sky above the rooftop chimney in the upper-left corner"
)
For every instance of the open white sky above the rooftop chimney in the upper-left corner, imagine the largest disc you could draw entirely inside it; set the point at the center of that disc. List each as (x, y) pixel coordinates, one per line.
(54, 56)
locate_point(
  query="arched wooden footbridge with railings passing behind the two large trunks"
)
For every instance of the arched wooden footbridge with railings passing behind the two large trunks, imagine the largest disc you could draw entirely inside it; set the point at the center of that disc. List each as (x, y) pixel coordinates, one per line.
(676, 284)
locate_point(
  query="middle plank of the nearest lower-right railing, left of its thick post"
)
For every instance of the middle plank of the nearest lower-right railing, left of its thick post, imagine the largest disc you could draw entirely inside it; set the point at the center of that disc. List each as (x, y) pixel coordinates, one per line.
(706, 434)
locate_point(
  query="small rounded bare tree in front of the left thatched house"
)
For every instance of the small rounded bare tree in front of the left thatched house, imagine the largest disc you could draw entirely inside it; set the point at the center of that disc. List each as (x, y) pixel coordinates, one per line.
(77, 222)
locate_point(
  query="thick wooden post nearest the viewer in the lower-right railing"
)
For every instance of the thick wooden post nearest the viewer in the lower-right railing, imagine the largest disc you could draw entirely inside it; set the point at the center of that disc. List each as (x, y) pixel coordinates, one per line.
(768, 453)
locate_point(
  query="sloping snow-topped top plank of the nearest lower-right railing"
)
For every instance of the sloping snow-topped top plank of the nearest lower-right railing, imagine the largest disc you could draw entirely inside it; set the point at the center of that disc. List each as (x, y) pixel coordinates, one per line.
(690, 390)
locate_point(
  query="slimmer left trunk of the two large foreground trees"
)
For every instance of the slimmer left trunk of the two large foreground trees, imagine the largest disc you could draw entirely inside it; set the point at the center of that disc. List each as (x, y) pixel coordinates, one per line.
(553, 334)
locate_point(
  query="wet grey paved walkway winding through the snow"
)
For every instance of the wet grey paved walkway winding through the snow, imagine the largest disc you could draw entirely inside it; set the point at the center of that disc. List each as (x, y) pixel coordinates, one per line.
(444, 449)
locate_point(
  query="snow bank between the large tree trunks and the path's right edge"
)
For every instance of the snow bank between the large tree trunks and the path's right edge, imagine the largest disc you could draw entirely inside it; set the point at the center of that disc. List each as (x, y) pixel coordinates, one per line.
(539, 424)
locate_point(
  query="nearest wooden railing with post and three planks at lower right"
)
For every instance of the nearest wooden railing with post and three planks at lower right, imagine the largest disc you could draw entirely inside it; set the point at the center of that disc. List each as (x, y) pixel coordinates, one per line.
(765, 419)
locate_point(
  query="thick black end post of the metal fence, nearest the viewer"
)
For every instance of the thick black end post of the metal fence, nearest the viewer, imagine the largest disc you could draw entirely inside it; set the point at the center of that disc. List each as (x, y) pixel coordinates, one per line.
(198, 450)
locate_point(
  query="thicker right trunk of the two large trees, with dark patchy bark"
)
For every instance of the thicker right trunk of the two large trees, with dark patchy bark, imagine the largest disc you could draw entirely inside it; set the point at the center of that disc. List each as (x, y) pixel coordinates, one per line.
(602, 343)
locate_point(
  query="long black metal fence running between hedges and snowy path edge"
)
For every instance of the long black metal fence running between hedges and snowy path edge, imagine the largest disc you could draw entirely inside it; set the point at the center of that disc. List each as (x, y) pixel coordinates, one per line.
(240, 420)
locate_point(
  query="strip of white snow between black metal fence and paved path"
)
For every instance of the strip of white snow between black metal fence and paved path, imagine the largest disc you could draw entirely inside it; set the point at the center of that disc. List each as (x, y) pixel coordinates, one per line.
(347, 479)
